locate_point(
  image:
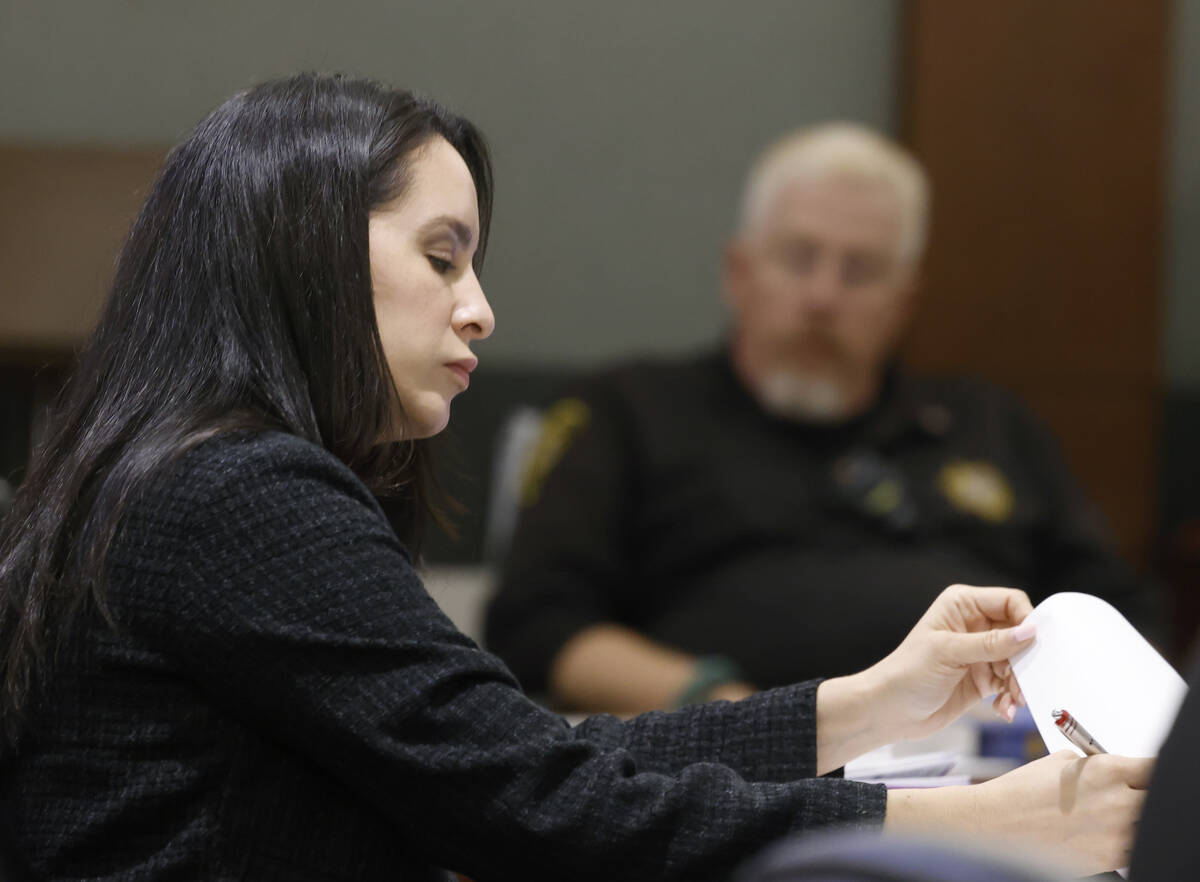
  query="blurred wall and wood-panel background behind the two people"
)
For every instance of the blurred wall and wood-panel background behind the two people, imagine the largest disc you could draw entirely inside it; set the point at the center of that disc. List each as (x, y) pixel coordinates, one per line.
(1064, 148)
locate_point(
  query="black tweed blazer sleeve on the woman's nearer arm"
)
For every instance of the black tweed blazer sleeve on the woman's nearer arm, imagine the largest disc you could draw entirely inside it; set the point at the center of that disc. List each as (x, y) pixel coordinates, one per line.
(293, 605)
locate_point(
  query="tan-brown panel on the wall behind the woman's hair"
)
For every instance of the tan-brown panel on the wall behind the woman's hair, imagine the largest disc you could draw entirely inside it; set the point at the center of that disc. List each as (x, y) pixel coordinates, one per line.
(64, 213)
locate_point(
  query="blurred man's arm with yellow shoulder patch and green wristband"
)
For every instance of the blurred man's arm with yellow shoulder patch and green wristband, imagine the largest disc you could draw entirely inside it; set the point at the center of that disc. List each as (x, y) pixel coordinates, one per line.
(561, 617)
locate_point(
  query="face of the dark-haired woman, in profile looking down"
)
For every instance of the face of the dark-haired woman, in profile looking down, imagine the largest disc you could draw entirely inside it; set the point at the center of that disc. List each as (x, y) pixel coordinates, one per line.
(429, 303)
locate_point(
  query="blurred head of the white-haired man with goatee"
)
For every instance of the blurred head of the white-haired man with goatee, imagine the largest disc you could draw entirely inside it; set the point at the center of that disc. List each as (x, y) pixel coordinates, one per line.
(823, 272)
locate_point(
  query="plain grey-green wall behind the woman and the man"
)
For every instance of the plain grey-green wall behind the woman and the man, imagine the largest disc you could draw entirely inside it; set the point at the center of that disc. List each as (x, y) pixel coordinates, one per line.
(621, 129)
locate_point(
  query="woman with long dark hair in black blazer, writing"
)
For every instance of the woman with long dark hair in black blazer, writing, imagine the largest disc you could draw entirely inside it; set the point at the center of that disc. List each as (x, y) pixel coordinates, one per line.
(218, 659)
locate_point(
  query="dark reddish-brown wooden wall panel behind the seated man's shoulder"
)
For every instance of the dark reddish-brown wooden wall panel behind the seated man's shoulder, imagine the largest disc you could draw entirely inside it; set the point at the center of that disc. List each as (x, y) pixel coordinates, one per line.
(1043, 129)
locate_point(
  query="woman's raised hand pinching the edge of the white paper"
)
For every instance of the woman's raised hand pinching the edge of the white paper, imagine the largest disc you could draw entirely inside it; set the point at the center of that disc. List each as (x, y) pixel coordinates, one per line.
(955, 656)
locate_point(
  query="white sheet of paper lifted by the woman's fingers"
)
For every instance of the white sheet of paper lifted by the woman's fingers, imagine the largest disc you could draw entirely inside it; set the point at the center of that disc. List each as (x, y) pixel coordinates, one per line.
(1089, 661)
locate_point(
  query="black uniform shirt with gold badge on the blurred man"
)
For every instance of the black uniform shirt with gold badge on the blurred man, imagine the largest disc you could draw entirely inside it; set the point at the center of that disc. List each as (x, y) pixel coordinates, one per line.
(663, 497)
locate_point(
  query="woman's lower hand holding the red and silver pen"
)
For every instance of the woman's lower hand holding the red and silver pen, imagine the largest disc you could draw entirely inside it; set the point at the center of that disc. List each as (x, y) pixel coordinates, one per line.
(1079, 812)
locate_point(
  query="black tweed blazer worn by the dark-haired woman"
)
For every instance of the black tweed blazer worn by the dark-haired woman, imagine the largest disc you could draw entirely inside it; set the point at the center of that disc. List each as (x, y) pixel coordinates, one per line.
(281, 700)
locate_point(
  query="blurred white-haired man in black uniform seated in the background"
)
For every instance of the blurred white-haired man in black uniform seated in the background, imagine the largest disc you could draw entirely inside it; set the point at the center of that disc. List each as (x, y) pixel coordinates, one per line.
(787, 507)
